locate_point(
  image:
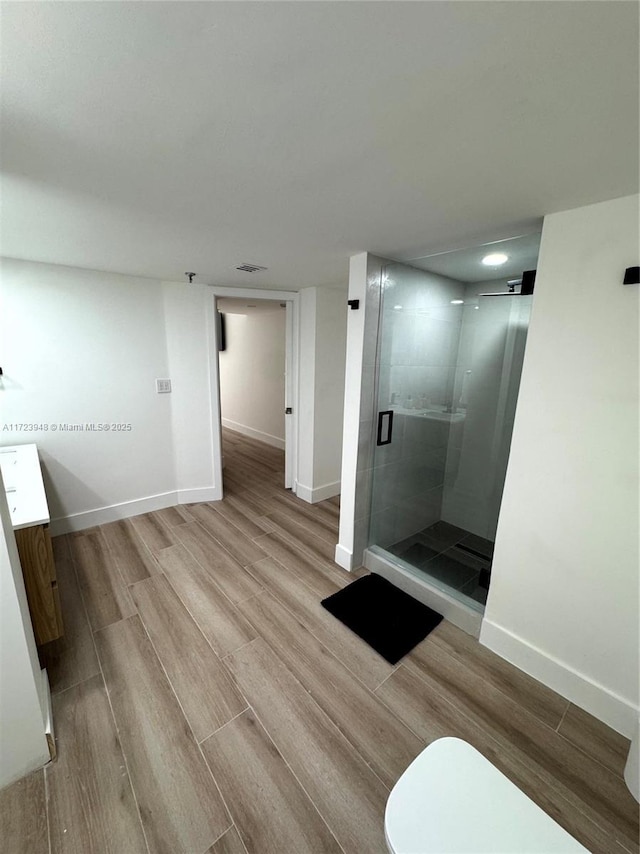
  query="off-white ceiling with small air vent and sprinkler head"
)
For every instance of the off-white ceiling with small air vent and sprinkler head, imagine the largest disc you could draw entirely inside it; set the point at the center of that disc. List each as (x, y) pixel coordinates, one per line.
(153, 138)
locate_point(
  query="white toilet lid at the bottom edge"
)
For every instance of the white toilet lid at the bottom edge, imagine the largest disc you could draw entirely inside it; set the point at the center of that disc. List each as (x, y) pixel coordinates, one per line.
(451, 799)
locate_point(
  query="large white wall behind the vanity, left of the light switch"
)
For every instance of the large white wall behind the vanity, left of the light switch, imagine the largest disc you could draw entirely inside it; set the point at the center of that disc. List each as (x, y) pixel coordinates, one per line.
(80, 346)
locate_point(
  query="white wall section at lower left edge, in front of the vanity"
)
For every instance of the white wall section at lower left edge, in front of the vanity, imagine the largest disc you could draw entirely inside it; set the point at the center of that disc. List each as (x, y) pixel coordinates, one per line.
(23, 711)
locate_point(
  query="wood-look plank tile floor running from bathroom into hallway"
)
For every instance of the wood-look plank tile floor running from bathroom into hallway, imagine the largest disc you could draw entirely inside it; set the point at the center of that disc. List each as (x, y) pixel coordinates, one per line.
(206, 703)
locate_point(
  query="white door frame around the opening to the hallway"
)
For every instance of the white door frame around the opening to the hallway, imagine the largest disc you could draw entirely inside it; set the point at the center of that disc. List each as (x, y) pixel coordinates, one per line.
(292, 357)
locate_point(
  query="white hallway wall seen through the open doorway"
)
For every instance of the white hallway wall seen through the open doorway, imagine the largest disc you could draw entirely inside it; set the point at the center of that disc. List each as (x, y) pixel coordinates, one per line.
(252, 369)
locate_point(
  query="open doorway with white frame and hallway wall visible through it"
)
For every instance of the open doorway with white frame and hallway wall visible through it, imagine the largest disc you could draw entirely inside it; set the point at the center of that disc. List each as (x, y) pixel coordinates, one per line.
(249, 390)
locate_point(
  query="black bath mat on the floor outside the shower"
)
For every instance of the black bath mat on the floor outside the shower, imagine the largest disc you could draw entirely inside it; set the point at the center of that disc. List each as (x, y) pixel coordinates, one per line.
(388, 619)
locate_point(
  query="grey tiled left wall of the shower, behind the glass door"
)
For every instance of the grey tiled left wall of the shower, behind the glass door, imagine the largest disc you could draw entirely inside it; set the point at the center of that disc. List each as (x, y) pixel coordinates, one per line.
(415, 360)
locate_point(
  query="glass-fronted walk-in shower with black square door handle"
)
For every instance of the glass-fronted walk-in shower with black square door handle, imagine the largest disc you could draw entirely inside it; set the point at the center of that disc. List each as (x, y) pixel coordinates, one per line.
(451, 341)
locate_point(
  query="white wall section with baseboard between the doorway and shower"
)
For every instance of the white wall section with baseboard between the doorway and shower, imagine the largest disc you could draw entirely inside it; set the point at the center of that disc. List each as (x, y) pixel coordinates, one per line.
(323, 330)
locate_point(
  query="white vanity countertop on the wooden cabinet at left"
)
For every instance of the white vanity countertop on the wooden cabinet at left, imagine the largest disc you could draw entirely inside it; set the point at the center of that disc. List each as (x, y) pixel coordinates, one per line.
(23, 484)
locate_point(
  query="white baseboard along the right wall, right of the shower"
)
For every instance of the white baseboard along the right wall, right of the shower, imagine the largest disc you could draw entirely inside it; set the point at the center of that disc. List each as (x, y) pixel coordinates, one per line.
(607, 706)
